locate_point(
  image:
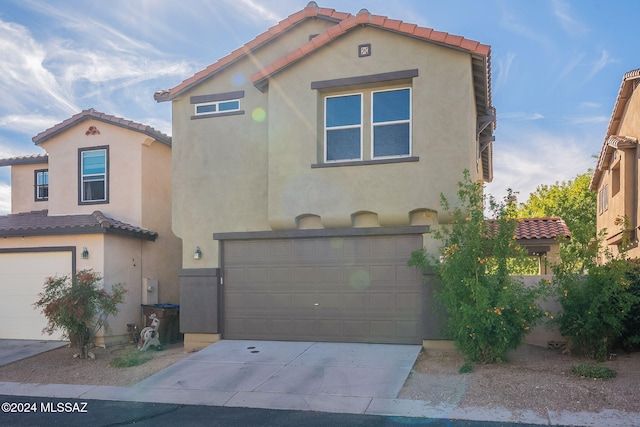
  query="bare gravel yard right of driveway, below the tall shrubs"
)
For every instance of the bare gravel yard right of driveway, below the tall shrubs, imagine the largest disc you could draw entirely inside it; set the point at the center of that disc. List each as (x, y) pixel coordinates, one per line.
(535, 378)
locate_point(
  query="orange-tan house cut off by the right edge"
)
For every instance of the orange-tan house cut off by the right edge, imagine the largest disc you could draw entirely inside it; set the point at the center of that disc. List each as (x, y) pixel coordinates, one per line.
(616, 176)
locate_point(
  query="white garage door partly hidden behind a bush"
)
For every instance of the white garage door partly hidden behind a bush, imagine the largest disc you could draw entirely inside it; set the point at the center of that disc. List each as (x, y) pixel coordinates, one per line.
(22, 276)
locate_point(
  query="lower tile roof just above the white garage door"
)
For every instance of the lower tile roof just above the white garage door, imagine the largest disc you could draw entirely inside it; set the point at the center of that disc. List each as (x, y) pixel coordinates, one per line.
(40, 223)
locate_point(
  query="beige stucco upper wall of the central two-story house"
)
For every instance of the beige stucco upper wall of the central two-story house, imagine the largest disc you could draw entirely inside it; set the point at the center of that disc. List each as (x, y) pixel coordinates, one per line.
(241, 173)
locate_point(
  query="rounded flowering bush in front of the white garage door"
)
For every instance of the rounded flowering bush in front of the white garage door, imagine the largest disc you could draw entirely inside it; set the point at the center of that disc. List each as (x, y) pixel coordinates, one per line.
(78, 305)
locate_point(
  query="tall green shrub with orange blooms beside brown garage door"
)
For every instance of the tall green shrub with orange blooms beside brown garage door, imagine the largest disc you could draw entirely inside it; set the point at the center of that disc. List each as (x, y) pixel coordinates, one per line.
(489, 311)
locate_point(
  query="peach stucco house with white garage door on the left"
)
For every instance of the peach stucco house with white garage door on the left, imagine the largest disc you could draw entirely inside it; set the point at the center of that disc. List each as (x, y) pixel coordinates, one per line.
(100, 199)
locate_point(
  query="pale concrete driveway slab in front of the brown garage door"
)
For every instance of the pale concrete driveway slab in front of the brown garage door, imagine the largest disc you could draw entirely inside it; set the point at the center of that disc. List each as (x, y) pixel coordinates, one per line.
(288, 375)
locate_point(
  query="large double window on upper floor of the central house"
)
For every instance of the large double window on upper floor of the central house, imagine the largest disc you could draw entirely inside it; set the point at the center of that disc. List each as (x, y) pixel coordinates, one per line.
(389, 120)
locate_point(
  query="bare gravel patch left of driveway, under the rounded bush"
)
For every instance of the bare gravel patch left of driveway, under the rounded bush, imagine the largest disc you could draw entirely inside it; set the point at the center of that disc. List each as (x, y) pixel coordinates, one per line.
(60, 367)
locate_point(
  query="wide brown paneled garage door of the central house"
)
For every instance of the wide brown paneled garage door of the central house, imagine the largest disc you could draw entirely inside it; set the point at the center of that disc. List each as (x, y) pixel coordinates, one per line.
(342, 289)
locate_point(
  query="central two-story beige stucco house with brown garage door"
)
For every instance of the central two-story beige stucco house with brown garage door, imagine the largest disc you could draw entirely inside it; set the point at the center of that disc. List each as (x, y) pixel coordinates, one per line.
(307, 166)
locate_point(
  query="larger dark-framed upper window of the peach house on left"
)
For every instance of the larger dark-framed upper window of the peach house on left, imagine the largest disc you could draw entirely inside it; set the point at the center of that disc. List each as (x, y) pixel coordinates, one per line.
(93, 165)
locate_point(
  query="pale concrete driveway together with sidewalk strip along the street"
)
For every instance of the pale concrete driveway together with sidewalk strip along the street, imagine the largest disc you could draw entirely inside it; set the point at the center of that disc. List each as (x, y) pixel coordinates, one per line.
(327, 377)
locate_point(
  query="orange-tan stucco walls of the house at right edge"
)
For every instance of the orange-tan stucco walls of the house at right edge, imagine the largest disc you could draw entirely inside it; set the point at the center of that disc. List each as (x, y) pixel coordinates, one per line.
(623, 201)
